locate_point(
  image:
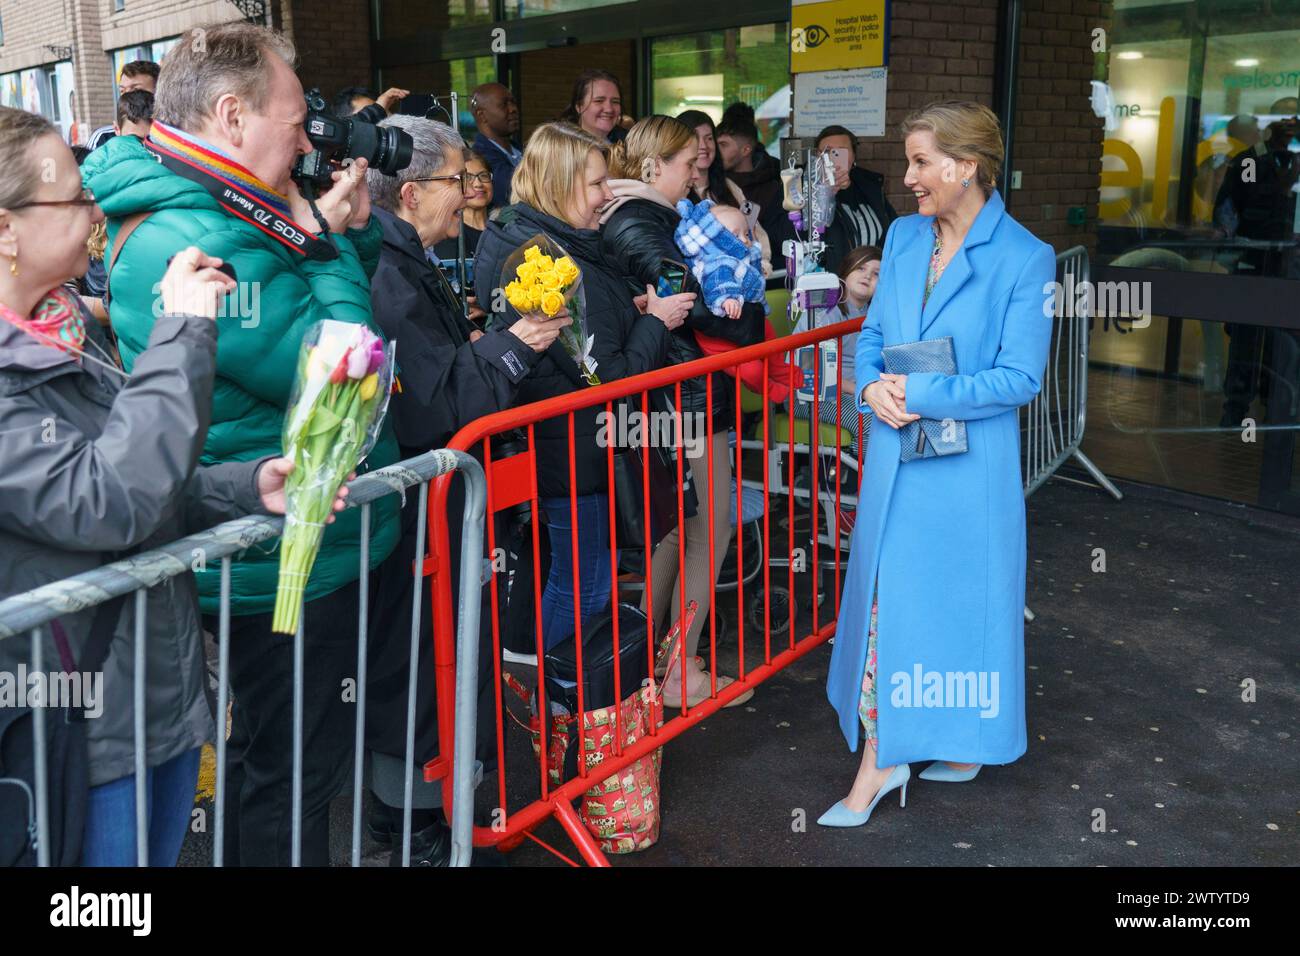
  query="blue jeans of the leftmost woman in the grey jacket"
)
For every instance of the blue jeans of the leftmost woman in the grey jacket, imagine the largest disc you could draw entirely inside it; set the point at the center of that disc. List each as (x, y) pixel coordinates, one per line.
(111, 815)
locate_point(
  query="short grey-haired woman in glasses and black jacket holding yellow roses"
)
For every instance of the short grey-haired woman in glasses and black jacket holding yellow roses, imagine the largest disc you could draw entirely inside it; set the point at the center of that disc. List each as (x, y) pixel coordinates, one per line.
(450, 377)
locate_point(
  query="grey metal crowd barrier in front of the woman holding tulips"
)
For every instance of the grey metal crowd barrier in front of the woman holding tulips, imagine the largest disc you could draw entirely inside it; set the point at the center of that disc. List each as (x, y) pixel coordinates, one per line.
(31, 613)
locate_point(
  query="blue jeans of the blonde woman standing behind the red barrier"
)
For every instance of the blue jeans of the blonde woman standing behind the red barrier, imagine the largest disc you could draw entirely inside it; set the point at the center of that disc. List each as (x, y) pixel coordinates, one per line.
(593, 556)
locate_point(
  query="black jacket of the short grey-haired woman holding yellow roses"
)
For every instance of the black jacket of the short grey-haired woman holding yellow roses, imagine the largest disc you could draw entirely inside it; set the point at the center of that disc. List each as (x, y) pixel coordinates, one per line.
(447, 380)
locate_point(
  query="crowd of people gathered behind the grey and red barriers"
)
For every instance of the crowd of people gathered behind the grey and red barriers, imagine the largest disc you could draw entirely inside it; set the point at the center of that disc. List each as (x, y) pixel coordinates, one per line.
(162, 429)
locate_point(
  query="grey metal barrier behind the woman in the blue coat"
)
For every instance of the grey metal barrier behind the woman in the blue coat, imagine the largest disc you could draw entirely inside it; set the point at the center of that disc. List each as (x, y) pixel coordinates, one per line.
(1052, 425)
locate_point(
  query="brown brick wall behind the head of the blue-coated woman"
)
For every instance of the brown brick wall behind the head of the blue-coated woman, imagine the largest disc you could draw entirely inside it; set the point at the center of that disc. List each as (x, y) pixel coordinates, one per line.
(948, 50)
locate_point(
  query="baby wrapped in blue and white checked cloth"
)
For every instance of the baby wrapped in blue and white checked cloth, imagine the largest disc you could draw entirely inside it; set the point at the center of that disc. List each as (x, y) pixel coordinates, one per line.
(722, 256)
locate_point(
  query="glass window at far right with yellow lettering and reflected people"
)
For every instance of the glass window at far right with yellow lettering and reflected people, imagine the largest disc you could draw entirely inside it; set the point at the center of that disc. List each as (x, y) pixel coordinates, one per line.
(1202, 157)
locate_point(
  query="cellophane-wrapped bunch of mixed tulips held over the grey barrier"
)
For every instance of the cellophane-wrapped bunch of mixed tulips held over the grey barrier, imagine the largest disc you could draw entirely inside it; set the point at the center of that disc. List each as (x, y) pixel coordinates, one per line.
(345, 375)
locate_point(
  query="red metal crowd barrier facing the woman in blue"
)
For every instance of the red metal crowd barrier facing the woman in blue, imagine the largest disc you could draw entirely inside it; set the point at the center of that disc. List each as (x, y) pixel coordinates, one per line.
(513, 482)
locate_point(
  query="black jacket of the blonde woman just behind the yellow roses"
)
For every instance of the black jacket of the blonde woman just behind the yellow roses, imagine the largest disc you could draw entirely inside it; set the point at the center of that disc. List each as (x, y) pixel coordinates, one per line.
(626, 343)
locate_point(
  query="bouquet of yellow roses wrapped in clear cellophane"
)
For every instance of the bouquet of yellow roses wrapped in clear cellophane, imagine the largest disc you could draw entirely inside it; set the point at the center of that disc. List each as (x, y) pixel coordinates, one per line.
(539, 280)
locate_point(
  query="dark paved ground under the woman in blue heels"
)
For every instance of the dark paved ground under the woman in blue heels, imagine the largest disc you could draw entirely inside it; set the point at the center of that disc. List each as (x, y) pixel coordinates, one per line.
(1136, 712)
